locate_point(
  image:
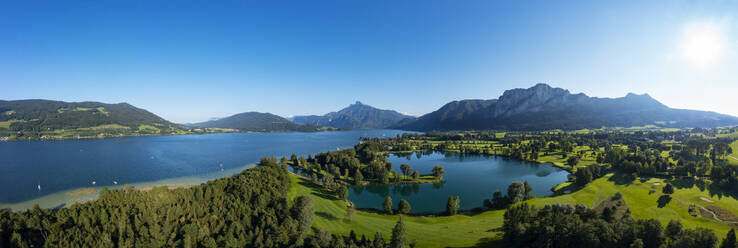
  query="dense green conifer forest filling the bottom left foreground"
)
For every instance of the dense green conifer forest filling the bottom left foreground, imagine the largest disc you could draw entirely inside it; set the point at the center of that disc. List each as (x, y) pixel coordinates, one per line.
(250, 209)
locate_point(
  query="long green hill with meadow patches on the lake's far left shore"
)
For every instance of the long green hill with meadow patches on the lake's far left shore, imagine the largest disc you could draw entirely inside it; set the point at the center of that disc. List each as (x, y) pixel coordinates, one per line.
(32, 119)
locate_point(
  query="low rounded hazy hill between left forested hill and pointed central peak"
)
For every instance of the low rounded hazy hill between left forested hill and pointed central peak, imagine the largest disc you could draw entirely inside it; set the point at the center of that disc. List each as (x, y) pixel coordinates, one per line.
(257, 122)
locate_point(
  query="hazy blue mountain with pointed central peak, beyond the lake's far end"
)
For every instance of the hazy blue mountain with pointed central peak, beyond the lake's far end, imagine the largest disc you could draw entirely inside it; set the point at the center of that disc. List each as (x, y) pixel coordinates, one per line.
(356, 116)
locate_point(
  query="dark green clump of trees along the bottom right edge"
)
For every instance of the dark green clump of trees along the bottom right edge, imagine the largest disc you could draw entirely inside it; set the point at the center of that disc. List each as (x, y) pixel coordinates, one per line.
(579, 226)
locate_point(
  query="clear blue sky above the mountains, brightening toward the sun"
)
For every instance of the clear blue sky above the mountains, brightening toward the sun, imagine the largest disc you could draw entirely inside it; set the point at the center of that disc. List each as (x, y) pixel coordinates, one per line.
(189, 61)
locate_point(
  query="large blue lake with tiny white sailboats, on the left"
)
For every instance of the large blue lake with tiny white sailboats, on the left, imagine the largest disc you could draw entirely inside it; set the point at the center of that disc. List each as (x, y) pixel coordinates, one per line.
(60, 167)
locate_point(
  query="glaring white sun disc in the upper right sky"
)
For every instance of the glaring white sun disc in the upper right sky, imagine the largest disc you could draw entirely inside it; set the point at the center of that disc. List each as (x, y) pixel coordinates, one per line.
(703, 44)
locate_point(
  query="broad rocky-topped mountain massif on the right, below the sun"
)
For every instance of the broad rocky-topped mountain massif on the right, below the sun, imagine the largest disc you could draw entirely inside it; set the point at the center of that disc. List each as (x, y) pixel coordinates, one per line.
(543, 107)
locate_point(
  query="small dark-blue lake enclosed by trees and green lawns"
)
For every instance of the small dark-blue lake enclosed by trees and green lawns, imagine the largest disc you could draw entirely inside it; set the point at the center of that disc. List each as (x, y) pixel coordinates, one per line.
(471, 177)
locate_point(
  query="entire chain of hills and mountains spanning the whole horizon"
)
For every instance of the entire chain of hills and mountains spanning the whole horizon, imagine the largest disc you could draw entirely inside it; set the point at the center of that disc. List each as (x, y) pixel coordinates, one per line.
(540, 107)
